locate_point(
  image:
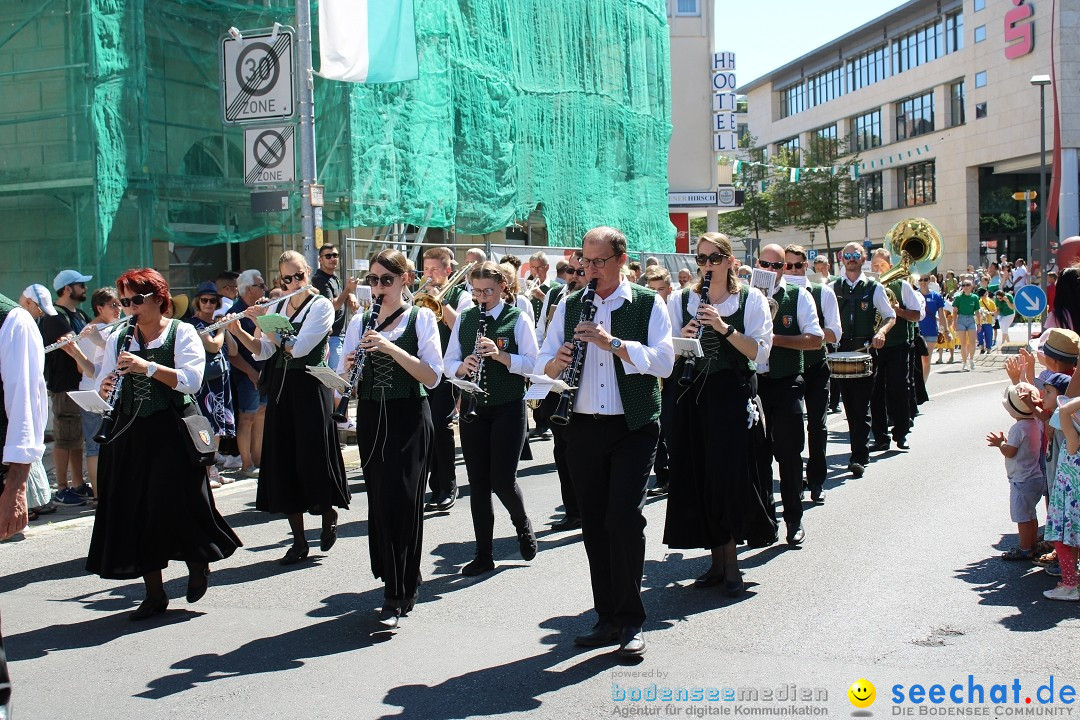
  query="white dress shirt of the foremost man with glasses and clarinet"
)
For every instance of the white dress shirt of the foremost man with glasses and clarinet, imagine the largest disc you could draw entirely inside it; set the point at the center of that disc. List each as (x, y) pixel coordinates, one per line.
(599, 391)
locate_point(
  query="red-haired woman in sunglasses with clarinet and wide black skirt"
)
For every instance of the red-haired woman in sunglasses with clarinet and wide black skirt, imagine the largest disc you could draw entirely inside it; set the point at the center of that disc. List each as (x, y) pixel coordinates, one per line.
(155, 505)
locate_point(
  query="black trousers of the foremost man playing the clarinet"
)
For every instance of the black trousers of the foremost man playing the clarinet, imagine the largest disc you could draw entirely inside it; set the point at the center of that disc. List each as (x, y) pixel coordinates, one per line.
(611, 466)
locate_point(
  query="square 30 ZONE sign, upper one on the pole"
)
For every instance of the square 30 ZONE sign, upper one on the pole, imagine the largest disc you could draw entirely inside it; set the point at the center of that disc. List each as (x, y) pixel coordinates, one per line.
(258, 77)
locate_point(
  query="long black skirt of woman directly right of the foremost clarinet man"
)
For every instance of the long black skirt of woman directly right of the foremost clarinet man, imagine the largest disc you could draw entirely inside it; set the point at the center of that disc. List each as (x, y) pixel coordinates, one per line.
(714, 495)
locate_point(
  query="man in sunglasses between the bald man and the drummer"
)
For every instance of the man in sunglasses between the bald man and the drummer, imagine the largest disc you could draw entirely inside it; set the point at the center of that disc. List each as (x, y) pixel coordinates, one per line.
(816, 373)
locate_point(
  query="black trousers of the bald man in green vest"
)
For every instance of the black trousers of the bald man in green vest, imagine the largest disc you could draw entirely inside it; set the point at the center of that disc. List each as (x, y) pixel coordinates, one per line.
(785, 438)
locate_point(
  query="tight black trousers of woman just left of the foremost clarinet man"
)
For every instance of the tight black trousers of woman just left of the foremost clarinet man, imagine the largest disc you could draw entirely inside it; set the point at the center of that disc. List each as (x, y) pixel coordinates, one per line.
(492, 445)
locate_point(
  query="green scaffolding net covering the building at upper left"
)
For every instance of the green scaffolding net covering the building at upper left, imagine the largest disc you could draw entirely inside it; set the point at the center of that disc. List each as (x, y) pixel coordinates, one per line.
(112, 138)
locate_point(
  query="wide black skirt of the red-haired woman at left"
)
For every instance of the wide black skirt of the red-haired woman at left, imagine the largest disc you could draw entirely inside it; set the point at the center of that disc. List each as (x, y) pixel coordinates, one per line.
(155, 506)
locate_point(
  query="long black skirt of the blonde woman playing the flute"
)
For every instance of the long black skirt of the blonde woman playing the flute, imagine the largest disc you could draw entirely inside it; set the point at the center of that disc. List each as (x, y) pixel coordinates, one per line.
(302, 470)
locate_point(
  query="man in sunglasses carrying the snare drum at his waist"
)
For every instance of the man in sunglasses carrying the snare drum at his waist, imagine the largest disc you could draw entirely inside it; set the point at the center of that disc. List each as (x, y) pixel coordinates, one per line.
(860, 300)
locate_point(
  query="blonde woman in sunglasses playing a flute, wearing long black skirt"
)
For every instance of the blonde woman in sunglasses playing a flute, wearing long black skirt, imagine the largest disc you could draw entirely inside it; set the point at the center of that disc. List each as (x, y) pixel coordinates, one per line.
(302, 471)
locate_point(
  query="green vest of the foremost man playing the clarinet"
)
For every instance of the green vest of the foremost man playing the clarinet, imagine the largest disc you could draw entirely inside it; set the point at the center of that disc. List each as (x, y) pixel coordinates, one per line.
(640, 393)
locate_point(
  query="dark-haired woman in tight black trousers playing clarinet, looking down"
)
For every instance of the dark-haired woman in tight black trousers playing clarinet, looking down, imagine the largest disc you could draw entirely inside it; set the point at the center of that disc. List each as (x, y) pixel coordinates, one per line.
(492, 441)
